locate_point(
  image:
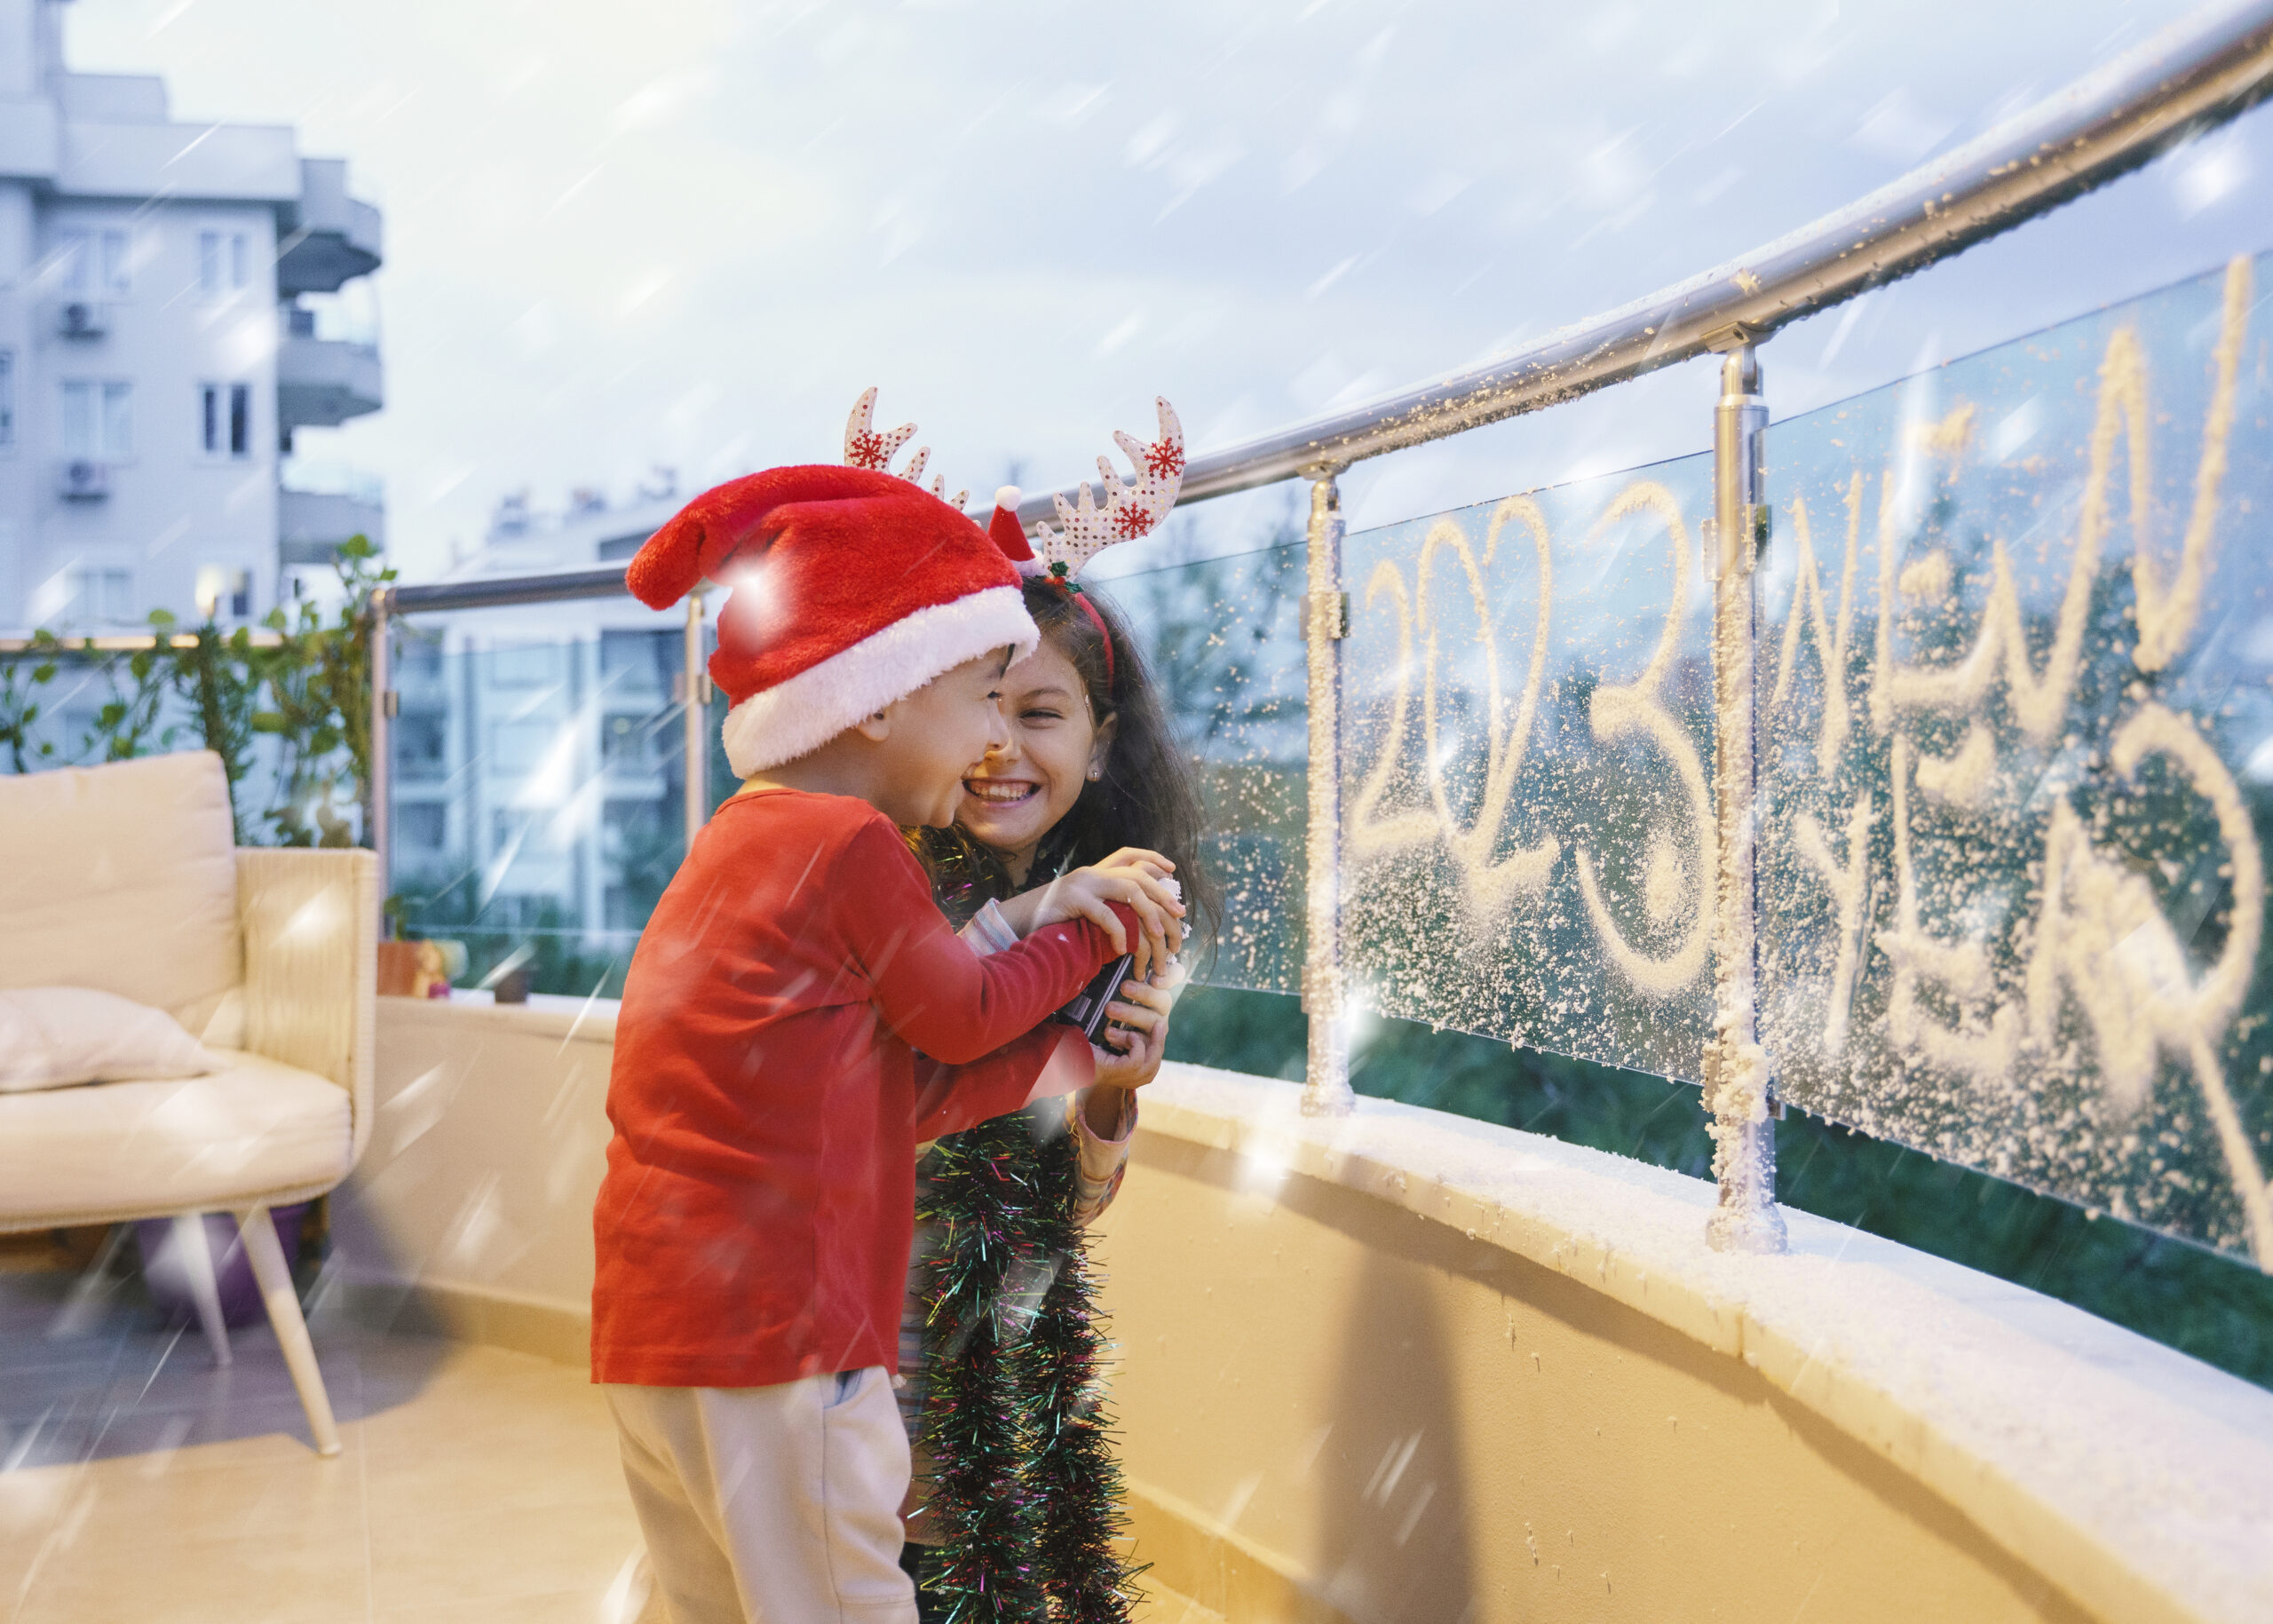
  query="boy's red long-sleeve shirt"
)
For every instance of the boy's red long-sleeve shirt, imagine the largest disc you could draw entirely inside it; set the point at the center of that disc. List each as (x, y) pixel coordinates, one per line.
(767, 1095)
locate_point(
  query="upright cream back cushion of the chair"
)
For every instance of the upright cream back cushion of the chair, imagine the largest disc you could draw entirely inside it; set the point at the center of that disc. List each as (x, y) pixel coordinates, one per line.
(124, 879)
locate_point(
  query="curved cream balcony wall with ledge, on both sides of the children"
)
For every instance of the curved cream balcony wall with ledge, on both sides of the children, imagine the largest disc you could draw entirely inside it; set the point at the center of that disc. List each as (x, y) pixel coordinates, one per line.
(1415, 1368)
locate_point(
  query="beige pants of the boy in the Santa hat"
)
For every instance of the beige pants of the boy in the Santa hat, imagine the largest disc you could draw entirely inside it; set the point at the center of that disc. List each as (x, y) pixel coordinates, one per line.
(772, 1505)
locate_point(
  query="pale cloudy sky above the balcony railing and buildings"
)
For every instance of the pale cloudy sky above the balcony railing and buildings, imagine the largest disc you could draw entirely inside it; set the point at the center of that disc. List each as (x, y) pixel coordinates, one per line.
(690, 233)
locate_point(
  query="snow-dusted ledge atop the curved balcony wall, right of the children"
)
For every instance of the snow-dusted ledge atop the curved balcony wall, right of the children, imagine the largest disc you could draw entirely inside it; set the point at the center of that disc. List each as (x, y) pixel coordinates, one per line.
(2126, 1473)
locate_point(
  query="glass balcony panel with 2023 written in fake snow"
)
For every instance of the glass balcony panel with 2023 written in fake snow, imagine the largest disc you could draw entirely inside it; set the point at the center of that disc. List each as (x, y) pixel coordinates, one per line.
(1526, 770)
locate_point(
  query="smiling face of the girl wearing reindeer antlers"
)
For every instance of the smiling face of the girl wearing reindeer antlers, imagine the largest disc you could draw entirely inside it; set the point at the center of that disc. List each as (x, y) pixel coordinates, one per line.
(1056, 747)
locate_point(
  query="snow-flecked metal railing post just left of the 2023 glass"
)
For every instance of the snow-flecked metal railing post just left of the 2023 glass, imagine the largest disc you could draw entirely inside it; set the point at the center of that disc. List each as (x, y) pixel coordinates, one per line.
(1326, 622)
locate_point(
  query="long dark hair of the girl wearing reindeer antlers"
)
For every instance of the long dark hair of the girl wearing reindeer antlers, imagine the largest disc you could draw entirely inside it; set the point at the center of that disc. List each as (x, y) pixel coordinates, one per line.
(1147, 795)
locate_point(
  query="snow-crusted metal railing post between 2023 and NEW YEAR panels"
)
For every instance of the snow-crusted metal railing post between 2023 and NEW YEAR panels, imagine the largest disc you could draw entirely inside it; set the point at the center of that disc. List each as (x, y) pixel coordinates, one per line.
(1735, 1066)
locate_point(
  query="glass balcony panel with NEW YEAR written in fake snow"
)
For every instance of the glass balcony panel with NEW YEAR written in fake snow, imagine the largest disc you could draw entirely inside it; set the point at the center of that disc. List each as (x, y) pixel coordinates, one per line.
(2017, 743)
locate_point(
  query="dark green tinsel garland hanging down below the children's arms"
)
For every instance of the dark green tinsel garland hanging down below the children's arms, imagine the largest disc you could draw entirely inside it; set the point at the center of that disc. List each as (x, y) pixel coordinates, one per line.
(1026, 1493)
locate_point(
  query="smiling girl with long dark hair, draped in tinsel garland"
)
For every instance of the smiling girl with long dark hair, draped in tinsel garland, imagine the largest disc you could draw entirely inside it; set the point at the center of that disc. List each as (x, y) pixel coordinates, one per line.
(1088, 804)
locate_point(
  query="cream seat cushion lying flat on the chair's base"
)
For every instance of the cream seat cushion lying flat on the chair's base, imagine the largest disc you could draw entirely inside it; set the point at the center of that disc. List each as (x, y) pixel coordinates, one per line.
(178, 1147)
